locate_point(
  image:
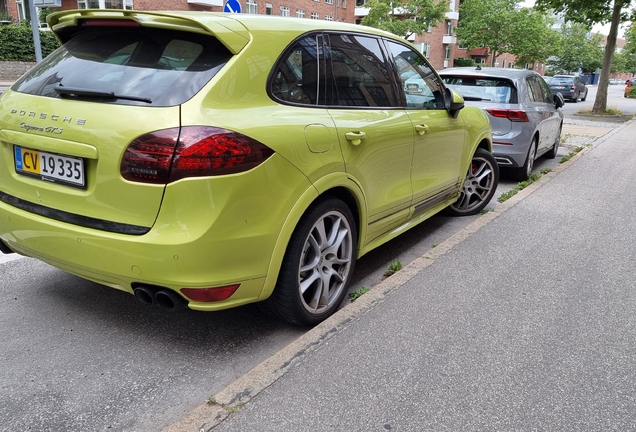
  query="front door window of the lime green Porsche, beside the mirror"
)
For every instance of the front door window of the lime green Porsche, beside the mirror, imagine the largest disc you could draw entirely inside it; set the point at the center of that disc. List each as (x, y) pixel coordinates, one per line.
(419, 84)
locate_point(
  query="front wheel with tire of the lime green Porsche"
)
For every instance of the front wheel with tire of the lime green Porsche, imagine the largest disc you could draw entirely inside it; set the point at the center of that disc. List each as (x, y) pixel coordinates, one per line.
(479, 186)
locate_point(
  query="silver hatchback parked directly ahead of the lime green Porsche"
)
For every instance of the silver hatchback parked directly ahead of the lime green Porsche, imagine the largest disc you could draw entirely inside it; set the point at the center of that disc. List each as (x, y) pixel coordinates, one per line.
(525, 116)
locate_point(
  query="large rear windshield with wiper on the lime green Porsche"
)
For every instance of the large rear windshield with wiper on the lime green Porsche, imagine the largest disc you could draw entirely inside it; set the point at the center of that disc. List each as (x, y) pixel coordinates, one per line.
(131, 66)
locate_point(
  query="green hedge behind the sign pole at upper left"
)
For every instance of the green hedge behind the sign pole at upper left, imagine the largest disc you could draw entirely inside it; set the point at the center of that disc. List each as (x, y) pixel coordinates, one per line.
(16, 42)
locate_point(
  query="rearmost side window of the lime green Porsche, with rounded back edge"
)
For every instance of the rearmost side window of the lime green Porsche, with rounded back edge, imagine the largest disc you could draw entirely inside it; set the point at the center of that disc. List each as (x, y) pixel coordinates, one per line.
(295, 79)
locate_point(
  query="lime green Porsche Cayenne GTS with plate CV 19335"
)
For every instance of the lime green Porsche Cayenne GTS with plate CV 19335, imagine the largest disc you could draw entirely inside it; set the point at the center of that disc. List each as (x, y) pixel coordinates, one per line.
(209, 160)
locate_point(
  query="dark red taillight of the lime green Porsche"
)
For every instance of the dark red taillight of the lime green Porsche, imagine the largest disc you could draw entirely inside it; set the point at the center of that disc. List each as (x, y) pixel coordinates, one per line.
(195, 151)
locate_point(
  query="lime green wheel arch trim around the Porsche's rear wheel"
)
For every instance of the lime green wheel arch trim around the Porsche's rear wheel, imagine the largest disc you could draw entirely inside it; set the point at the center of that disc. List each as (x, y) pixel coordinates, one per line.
(336, 186)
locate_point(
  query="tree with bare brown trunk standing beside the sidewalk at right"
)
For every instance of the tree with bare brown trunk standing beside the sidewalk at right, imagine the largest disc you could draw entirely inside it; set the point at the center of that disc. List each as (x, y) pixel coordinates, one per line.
(590, 12)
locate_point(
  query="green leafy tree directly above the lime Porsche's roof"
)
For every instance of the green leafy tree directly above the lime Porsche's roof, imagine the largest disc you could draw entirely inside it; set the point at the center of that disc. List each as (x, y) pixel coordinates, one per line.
(405, 18)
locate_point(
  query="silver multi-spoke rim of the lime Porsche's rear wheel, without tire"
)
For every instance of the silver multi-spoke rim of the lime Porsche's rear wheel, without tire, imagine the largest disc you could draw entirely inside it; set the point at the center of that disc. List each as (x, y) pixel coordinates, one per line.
(325, 262)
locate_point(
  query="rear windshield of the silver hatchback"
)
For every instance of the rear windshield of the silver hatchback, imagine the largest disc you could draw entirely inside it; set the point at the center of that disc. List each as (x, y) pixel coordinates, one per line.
(498, 90)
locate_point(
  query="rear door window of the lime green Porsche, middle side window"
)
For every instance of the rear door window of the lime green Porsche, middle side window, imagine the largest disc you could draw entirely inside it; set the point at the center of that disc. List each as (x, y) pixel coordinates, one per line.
(361, 75)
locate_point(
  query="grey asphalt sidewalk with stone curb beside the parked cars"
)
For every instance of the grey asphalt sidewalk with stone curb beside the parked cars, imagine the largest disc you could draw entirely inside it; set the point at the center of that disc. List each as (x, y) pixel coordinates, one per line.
(524, 320)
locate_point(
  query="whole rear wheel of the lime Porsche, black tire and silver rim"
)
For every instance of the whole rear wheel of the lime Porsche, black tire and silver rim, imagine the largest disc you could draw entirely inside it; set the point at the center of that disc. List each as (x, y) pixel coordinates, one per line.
(318, 265)
